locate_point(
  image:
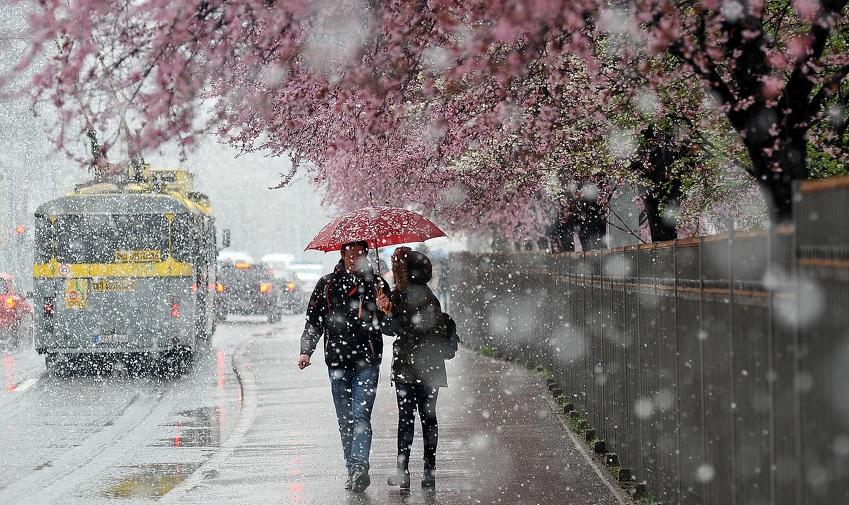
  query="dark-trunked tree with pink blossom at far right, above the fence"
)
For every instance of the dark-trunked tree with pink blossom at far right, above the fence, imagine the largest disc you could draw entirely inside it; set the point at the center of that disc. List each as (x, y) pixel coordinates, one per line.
(772, 66)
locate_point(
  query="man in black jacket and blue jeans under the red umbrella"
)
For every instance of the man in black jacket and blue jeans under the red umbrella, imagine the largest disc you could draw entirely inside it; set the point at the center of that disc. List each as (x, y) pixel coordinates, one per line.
(343, 309)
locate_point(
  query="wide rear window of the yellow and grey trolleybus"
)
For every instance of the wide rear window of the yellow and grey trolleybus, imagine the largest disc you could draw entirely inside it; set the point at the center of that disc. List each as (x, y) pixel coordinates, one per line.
(108, 238)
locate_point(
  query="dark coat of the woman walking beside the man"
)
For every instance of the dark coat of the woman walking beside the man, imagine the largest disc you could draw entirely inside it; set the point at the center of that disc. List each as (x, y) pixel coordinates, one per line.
(418, 324)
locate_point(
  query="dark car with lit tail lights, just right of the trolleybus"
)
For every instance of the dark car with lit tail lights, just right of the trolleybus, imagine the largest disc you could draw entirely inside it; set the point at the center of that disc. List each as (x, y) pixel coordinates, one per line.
(246, 288)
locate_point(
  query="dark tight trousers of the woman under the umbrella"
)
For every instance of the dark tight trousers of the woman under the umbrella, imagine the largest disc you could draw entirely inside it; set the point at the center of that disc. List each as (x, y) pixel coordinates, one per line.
(412, 397)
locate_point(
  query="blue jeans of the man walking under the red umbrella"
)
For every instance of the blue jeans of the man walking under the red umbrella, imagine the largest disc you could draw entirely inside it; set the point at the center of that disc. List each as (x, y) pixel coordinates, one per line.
(353, 396)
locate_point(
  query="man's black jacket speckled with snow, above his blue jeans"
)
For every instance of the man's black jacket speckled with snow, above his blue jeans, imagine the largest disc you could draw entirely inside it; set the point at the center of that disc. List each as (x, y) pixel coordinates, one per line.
(344, 311)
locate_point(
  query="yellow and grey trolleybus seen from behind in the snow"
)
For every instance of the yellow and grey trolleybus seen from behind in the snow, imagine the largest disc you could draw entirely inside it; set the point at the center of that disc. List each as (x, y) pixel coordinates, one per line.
(126, 271)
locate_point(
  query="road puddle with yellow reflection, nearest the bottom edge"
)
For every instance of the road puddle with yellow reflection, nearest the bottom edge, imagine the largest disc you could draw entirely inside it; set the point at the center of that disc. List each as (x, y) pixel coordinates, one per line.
(150, 481)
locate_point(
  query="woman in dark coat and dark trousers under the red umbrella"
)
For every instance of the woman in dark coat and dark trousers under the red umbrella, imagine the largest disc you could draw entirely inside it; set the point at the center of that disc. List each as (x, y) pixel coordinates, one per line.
(418, 365)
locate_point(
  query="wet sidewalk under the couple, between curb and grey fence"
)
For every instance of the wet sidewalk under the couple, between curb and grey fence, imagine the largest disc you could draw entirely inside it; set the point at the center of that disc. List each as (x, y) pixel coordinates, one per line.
(500, 441)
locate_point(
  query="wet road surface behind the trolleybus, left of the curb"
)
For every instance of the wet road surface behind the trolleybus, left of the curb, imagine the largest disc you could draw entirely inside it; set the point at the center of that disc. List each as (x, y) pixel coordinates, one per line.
(110, 435)
